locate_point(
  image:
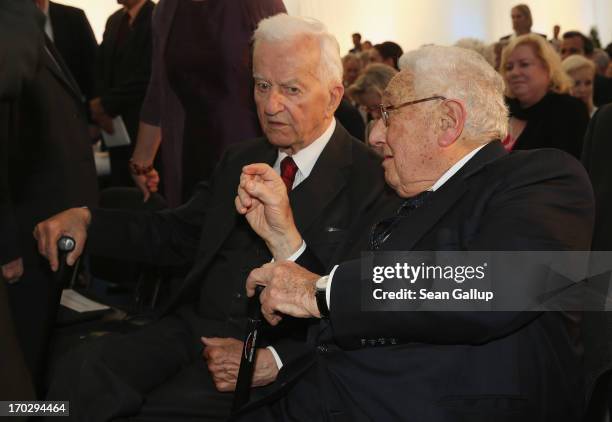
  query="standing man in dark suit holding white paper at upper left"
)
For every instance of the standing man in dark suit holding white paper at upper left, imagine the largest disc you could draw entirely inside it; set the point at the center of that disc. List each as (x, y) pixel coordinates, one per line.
(123, 70)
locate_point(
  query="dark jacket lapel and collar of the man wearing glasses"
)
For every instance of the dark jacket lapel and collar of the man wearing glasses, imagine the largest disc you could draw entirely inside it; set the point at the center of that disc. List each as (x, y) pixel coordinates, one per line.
(419, 222)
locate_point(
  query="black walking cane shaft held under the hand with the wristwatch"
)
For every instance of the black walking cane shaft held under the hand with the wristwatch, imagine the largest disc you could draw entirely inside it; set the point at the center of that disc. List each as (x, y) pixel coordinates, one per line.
(247, 361)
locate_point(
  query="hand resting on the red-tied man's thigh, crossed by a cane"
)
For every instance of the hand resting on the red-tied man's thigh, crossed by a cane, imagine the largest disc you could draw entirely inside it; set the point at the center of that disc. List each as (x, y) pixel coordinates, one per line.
(223, 359)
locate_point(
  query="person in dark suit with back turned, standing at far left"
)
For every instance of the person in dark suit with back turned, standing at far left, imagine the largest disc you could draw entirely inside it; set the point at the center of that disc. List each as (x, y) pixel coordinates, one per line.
(50, 166)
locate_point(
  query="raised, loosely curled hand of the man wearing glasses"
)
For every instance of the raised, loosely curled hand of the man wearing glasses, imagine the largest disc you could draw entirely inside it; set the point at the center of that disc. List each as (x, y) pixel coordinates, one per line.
(262, 198)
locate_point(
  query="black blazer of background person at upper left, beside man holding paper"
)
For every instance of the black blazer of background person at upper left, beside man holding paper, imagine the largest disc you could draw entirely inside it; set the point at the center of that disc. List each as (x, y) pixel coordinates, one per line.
(76, 42)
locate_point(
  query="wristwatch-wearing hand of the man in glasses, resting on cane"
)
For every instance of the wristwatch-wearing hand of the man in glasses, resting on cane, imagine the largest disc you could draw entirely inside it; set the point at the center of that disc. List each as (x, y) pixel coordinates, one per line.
(289, 290)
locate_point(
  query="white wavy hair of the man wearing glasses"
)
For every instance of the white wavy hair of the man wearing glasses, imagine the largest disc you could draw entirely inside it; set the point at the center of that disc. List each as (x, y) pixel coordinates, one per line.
(465, 75)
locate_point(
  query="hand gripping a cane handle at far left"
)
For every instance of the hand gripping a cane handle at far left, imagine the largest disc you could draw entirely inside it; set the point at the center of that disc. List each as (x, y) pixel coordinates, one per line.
(73, 223)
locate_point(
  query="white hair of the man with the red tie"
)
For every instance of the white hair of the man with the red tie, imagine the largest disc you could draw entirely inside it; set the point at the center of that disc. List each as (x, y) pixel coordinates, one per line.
(282, 27)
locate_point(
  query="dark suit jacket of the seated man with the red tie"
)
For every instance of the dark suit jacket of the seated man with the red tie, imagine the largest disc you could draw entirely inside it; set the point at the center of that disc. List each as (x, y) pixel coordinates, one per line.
(345, 182)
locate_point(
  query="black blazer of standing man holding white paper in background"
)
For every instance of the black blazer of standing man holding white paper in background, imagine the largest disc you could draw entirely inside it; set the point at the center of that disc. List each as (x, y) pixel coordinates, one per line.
(122, 74)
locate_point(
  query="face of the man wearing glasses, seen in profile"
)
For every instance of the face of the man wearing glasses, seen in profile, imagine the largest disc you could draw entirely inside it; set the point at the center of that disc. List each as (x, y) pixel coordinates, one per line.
(409, 148)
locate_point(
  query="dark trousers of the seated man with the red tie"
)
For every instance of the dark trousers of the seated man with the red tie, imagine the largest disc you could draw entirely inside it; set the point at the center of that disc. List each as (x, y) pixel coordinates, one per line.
(154, 374)
